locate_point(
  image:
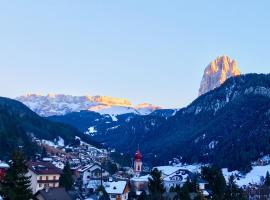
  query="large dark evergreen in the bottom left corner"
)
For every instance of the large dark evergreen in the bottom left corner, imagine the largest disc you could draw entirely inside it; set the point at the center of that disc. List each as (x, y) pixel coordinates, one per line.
(16, 184)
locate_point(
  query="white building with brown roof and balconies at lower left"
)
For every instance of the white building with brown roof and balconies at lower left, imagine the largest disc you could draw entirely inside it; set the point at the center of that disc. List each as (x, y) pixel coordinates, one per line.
(43, 175)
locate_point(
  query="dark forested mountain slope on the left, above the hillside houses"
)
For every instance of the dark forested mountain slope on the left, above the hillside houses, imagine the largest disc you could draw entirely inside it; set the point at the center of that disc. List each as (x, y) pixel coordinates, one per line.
(19, 125)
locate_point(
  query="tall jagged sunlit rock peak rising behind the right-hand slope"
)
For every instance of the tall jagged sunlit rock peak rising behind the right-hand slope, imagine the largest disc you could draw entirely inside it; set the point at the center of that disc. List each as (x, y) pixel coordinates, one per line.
(217, 72)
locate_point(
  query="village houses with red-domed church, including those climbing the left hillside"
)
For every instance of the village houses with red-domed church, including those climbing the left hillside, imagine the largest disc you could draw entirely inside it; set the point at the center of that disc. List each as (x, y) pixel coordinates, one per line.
(89, 174)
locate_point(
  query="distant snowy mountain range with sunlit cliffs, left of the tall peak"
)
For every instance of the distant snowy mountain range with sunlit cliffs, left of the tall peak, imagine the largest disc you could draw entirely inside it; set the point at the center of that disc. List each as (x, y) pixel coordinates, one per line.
(60, 104)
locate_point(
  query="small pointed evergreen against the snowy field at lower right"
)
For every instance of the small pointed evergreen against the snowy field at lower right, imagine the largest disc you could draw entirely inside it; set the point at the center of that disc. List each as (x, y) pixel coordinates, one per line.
(233, 192)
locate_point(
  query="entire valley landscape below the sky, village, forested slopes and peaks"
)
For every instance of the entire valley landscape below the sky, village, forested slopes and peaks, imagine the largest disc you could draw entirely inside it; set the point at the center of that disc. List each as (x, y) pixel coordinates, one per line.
(105, 148)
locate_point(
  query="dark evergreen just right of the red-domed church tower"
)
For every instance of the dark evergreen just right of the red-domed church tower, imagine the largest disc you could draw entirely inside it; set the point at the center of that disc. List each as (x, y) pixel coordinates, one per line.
(156, 187)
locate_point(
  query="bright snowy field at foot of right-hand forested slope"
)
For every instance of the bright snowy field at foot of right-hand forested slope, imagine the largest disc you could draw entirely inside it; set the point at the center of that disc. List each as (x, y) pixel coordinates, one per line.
(255, 176)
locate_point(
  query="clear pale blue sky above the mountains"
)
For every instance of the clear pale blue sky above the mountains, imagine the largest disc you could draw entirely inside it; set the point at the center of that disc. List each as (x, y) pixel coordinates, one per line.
(146, 51)
